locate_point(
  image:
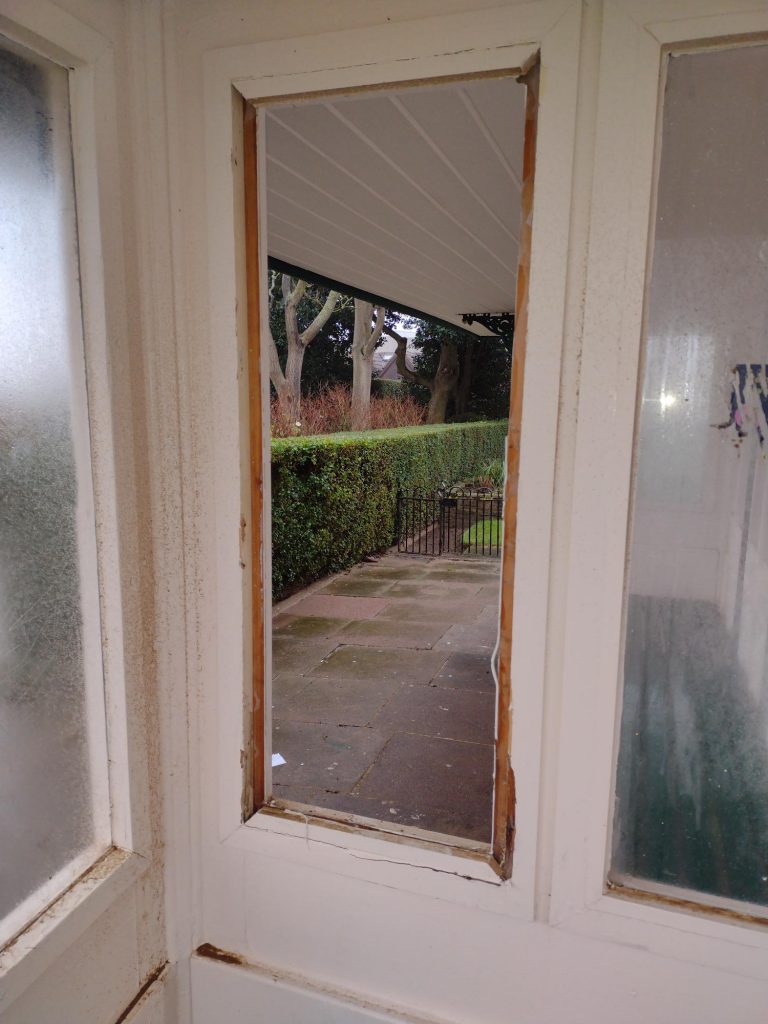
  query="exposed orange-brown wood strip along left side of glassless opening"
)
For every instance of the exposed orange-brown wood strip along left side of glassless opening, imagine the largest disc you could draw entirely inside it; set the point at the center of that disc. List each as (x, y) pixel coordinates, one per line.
(259, 752)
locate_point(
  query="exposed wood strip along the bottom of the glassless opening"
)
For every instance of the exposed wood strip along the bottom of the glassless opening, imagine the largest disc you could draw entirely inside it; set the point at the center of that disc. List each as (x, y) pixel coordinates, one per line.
(344, 822)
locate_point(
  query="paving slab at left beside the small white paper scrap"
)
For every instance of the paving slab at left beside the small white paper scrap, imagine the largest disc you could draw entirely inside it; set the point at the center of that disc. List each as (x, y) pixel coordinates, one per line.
(323, 757)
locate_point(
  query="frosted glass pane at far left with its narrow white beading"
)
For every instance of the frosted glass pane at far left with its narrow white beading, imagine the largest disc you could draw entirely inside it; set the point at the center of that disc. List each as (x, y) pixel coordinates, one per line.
(52, 729)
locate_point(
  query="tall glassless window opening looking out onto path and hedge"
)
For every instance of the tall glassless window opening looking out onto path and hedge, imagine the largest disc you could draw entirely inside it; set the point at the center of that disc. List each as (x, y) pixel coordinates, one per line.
(364, 647)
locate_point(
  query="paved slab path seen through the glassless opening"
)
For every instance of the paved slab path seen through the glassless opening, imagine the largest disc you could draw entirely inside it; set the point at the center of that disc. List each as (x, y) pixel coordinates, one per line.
(383, 698)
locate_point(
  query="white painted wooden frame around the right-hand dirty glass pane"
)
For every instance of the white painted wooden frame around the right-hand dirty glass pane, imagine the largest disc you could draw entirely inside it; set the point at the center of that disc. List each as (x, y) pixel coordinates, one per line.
(636, 37)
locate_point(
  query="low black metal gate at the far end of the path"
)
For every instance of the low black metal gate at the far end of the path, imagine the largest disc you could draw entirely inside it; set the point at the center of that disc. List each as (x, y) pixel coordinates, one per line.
(451, 521)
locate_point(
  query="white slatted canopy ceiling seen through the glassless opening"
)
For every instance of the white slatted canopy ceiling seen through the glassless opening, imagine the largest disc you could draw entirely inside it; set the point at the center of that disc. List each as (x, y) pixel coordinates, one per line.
(411, 194)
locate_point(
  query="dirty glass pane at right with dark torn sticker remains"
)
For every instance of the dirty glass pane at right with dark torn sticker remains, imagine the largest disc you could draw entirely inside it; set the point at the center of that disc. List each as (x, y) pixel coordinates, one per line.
(693, 780)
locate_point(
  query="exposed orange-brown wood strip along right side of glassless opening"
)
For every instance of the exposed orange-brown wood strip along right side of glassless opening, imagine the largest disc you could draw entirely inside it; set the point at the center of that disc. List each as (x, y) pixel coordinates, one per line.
(504, 786)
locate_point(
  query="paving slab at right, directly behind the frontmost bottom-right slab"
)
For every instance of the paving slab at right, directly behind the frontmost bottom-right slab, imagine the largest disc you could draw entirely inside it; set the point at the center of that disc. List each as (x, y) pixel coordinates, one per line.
(433, 711)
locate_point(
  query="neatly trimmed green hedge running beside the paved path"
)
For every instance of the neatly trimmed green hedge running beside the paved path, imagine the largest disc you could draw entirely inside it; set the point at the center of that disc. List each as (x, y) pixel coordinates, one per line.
(334, 496)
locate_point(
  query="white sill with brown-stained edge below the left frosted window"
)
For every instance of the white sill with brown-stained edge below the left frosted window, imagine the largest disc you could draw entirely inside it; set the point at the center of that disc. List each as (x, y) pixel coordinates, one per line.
(46, 938)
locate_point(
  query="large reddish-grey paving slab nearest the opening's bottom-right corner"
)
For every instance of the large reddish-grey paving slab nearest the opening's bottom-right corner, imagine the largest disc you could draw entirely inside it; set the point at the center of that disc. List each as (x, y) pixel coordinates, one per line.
(429, 773)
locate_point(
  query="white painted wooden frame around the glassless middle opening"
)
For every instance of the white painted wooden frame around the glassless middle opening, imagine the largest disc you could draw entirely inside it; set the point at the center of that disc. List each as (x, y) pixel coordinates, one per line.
(395, 54)
